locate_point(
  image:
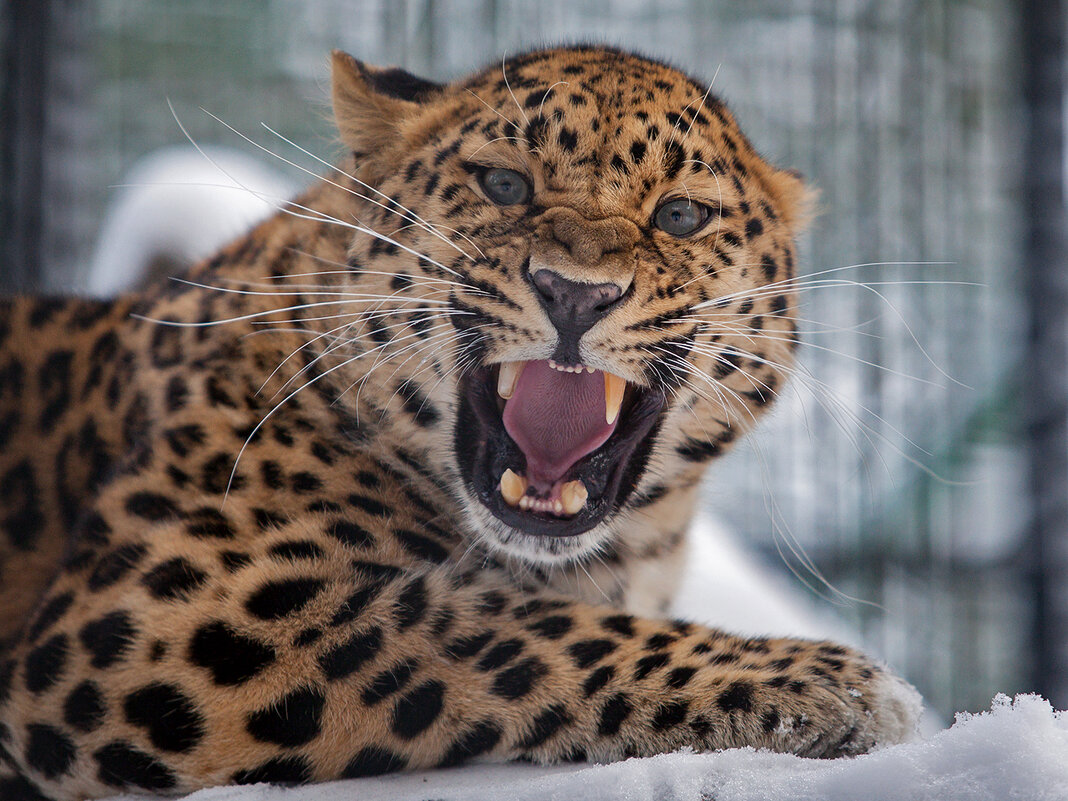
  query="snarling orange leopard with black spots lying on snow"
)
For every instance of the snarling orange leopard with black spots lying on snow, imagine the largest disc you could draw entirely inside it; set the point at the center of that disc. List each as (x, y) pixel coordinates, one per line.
(402, 479)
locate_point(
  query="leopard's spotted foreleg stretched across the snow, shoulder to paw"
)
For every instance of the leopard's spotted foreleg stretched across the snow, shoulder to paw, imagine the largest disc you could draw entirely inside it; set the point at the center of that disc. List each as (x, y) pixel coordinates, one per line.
(344, 643)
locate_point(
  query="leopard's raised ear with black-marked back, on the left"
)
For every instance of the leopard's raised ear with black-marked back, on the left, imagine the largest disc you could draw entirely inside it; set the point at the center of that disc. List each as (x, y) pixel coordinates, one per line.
(374, 107)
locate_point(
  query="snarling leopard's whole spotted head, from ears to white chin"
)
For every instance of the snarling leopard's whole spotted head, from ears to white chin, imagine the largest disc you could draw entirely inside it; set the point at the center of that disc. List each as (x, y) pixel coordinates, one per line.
(590, 280)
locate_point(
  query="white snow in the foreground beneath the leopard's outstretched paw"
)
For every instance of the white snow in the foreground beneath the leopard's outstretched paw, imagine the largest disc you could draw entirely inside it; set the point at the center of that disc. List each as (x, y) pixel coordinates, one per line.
(1018, 750)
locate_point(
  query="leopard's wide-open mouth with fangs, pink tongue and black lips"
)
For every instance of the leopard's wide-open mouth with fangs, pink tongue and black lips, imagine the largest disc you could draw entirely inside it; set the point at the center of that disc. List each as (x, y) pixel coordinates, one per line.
(551, 449)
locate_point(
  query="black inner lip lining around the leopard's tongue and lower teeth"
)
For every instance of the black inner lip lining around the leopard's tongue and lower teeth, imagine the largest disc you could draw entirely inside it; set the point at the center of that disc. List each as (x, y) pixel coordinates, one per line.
(608, 474)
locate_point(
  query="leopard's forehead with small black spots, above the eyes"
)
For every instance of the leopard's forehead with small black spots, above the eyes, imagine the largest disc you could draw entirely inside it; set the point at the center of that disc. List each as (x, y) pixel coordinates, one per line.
(606, 123)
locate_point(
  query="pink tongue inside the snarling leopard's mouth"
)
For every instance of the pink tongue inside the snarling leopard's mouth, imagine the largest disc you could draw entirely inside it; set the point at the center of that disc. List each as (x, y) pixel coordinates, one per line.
(556, 418)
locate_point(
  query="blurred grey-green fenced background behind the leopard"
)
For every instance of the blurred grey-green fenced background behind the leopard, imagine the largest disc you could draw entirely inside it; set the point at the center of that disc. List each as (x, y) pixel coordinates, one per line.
(920, 461)
